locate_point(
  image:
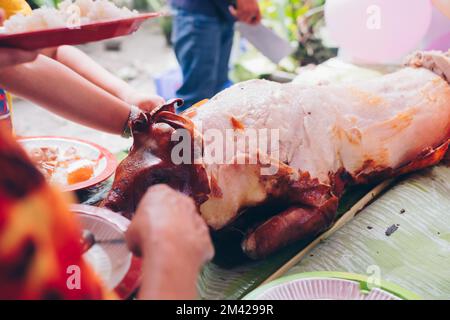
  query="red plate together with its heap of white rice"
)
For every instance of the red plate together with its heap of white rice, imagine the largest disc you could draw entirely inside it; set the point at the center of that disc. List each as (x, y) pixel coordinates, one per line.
(73, 22)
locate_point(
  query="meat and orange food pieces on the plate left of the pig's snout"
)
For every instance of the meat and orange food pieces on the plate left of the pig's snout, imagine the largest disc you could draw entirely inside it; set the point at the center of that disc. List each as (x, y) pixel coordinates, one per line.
(63, 168)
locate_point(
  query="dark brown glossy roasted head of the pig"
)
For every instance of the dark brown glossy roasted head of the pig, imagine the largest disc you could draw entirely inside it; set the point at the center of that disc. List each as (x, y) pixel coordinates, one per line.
(149, 163)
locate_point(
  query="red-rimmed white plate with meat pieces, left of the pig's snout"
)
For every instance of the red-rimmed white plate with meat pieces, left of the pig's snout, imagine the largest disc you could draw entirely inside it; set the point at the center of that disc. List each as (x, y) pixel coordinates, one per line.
(72, 164)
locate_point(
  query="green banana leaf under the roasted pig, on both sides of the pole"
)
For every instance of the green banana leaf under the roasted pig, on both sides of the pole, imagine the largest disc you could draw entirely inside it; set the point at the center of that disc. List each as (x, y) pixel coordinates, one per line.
(415, 254)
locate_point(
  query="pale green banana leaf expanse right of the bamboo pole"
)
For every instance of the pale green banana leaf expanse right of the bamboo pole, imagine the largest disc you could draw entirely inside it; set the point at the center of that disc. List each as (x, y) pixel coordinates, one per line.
(404, 236)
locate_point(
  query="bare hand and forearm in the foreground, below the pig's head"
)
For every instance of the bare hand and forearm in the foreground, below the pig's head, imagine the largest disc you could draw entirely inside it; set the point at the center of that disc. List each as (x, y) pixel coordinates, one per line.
(174, 242)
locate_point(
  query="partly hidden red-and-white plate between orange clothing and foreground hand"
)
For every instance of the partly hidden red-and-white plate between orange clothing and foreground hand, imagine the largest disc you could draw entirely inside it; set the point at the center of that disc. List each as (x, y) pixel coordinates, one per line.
(106, 251)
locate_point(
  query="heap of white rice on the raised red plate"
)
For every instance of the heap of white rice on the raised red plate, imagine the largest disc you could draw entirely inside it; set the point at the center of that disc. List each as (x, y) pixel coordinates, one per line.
(69, 13)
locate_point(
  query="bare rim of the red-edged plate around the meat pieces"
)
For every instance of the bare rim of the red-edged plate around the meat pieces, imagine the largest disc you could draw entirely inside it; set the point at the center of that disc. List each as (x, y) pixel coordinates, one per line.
(107, 163)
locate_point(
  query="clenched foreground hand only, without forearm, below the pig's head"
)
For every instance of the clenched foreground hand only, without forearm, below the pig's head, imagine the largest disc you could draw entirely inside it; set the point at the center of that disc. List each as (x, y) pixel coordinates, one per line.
(168, 220)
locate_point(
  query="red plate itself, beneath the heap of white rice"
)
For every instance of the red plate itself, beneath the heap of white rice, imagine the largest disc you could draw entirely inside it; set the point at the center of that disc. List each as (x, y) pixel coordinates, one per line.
(66, 36)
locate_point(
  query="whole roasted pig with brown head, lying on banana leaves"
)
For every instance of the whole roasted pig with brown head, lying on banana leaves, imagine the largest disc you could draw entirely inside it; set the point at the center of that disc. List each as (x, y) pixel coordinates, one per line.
(323, 138)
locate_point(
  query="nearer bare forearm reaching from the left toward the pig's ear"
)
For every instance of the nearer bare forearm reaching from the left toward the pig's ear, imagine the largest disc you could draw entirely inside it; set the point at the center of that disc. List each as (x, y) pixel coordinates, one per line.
(66, 93)
